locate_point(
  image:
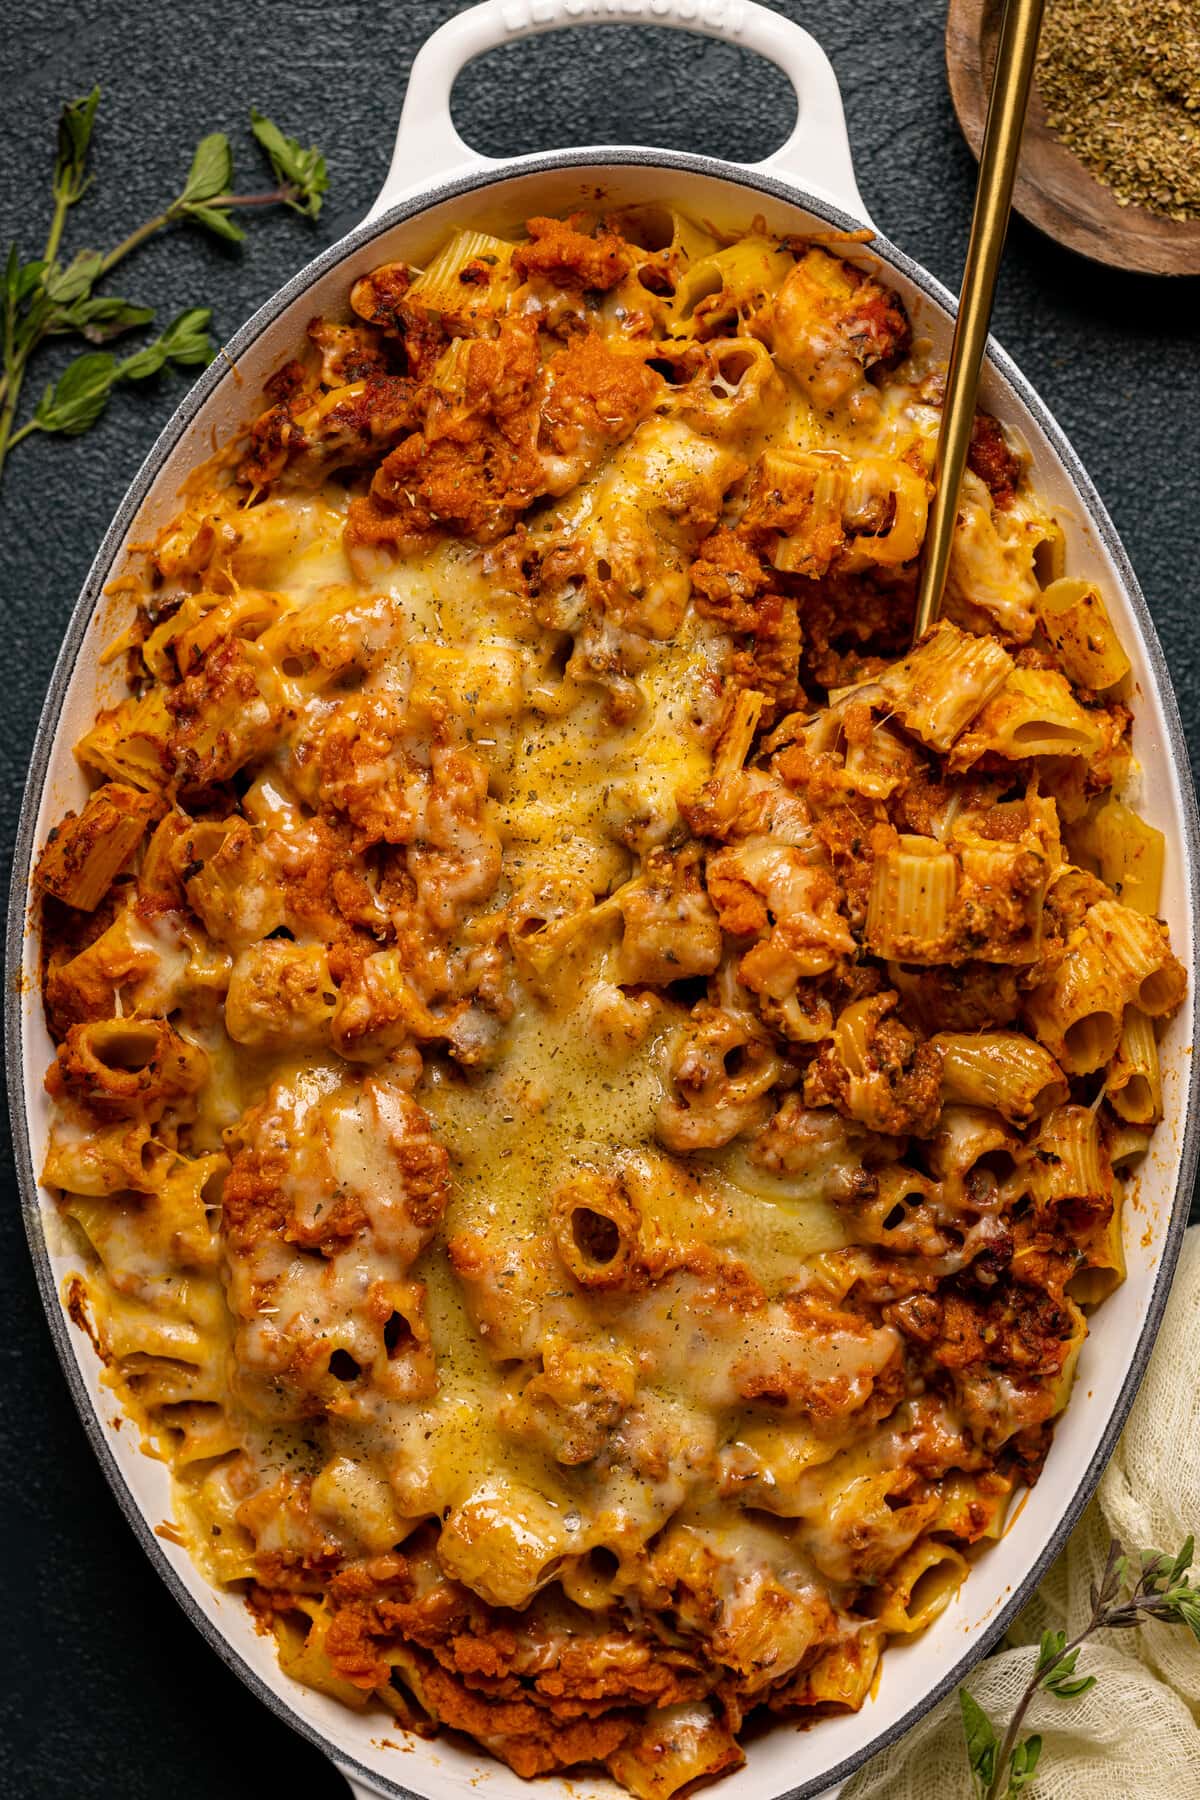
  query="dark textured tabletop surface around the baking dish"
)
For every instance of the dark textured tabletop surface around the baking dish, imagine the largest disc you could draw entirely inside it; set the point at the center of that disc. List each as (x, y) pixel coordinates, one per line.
(107, 1691)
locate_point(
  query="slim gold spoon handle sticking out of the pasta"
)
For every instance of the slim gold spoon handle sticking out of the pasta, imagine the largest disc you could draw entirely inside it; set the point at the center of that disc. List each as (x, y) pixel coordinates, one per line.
(994, 199)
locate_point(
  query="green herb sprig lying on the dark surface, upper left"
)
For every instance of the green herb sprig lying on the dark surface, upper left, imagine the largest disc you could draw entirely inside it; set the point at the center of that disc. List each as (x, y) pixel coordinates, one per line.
(49, 298)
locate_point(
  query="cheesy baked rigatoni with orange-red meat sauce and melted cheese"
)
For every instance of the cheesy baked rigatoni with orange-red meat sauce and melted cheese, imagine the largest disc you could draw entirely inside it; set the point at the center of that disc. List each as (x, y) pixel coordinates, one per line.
(593, 1081)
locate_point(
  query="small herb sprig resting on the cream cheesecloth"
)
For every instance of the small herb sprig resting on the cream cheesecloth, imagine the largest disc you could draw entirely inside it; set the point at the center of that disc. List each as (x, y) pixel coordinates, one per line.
(1131, 1590)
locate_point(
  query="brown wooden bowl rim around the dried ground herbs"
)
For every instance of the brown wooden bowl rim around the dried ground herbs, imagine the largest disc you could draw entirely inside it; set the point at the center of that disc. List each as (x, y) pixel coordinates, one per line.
(1055, 192)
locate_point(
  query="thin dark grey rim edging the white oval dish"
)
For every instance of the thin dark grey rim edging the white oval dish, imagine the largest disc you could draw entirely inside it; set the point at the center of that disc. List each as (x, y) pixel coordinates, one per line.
(76, 631)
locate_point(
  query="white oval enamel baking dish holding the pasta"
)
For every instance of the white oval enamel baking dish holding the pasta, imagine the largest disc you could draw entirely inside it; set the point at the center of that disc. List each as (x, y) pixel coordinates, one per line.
(809, 184)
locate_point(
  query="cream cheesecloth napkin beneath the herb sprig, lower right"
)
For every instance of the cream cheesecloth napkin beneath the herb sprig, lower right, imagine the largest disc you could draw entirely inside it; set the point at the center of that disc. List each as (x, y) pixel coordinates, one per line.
(1136, 1736)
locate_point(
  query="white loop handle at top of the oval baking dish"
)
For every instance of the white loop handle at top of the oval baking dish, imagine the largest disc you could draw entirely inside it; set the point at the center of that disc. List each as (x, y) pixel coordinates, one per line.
(816, 156)
